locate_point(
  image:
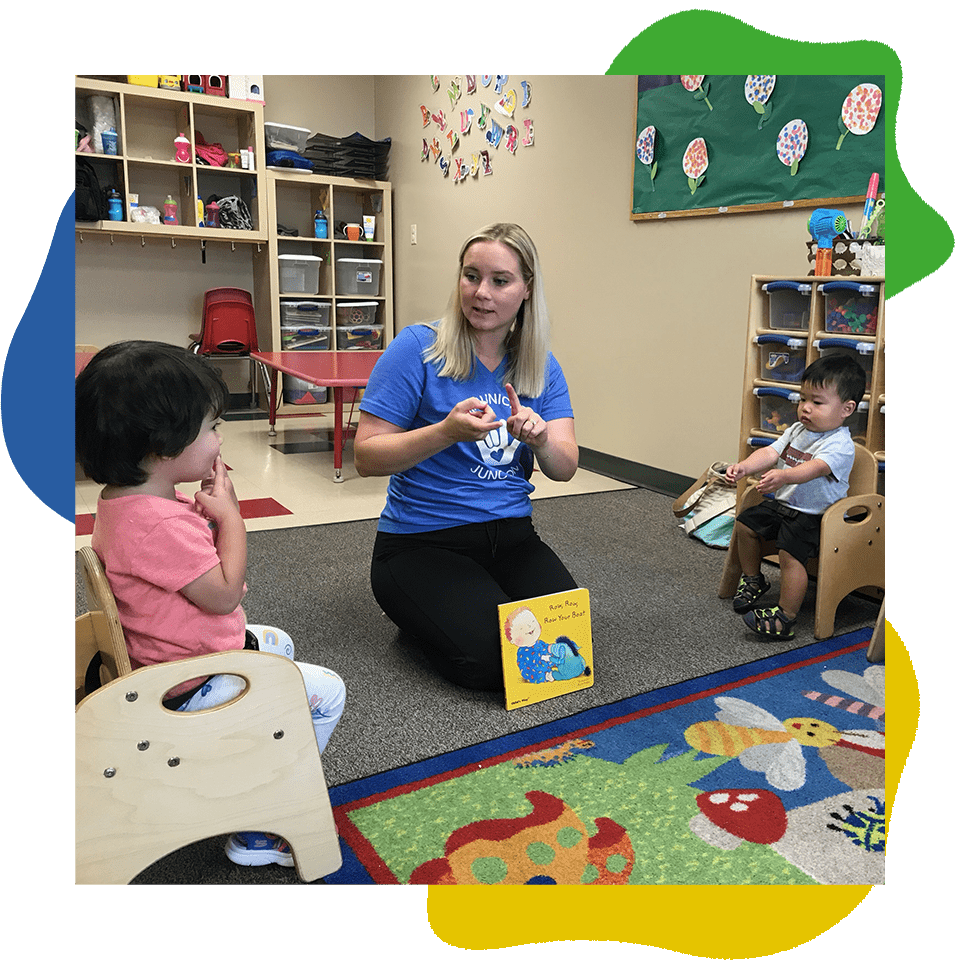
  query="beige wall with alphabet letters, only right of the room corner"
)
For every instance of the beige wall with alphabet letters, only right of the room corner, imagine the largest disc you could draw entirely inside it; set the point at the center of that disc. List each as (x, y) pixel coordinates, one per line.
(649, 318)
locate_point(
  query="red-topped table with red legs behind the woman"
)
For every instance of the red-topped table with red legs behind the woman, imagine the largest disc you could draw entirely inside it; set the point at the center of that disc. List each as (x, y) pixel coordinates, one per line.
(333, 369)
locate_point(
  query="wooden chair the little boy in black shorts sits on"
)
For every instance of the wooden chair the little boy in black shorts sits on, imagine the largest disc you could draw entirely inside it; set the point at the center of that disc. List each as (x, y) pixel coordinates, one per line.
(852, 545)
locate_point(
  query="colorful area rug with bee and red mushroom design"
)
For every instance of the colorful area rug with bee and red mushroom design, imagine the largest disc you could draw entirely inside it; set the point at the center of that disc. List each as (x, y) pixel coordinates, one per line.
(770, 773)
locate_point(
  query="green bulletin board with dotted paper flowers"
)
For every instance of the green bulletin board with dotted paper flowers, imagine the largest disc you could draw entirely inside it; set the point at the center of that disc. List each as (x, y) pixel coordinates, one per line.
(736, 144)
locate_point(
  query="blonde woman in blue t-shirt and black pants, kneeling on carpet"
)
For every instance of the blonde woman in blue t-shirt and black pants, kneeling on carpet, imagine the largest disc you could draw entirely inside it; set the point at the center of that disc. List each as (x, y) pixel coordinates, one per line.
(455, 413)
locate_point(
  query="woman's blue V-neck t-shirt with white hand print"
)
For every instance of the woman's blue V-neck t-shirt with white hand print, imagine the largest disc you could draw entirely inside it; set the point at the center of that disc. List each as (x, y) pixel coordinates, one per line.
(468, 482)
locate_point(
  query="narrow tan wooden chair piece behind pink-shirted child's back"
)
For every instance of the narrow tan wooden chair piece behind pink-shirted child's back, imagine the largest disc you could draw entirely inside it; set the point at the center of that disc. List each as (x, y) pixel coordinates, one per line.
(98, 630)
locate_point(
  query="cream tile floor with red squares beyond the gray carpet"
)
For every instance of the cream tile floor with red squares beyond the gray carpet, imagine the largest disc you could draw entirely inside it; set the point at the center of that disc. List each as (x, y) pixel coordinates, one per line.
(288, 480)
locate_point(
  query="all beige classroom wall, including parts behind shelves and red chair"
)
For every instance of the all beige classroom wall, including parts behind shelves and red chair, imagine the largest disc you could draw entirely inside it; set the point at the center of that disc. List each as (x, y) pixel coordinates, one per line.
(649, 318)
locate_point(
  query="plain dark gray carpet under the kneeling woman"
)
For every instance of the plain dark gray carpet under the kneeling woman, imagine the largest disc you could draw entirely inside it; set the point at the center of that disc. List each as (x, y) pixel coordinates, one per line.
(655, 615)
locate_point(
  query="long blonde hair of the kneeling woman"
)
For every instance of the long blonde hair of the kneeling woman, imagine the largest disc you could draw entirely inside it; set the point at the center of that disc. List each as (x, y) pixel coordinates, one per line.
(528, 342)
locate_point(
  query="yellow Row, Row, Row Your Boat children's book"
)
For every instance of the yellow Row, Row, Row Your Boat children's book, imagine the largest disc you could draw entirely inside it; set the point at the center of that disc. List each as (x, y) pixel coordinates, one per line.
(546, 646)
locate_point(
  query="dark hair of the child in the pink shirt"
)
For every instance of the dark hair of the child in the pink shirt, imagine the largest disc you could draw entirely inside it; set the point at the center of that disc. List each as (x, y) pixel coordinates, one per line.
(138, 398)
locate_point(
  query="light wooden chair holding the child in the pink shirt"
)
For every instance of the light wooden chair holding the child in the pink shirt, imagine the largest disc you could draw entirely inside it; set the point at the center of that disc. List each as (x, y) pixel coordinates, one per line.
(150, 780)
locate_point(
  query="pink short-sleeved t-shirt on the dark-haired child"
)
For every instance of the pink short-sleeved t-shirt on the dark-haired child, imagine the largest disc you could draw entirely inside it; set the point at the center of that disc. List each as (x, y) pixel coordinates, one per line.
(151, 548)
